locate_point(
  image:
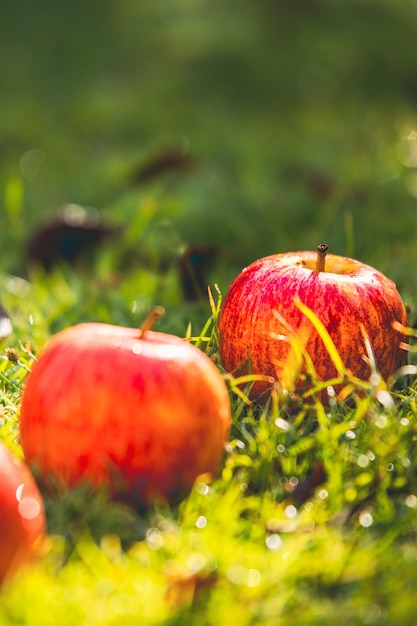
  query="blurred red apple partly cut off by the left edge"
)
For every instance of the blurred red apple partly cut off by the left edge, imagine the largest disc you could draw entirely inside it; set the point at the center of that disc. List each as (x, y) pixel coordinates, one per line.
(22, 516)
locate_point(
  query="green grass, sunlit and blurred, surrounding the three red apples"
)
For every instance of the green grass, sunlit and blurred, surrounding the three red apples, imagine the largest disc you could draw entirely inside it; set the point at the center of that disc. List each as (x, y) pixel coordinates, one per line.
(234, 130)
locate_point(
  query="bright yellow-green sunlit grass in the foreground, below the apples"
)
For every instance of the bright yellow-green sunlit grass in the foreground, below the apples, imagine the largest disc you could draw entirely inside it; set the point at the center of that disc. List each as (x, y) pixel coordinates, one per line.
(313, 513)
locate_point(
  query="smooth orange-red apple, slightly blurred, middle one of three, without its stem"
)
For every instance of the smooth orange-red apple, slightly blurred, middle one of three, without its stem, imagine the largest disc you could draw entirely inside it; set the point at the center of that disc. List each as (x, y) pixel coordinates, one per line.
(143, 414)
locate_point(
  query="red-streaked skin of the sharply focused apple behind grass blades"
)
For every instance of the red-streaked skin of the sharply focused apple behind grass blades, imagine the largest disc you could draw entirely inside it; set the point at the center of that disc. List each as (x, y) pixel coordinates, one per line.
(345, 296)
